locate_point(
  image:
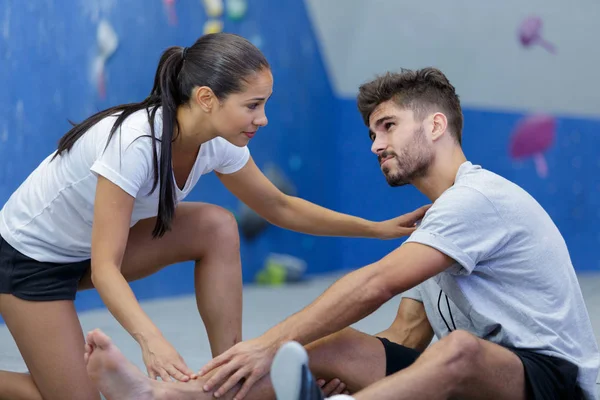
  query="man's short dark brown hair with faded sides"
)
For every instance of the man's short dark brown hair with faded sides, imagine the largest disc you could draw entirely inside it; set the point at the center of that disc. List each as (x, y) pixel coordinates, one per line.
(423, 91)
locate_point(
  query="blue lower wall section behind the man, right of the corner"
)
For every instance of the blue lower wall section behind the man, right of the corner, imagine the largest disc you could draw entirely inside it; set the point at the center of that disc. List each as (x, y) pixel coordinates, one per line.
(570, 193)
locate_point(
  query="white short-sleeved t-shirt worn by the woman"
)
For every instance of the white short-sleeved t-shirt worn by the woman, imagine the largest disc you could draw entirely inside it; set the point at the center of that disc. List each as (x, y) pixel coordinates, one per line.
(49, 217)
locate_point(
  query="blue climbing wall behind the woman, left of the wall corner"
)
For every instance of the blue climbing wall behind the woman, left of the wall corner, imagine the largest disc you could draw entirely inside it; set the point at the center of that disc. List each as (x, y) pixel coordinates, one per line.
(47, 49)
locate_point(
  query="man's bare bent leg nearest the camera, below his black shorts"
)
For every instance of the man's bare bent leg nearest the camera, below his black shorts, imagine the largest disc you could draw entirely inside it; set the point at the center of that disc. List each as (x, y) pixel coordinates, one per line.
(458, 366)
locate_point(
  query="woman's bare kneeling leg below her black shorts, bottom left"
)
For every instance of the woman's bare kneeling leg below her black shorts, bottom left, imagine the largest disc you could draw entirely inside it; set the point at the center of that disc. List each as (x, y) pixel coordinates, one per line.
(49, 337)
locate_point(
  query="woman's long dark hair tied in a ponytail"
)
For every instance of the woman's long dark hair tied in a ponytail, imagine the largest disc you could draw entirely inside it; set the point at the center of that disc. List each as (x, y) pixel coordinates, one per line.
(221, 61)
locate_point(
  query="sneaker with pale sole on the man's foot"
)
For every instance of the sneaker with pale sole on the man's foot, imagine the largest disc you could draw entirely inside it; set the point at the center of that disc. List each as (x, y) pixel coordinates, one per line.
(291, 378)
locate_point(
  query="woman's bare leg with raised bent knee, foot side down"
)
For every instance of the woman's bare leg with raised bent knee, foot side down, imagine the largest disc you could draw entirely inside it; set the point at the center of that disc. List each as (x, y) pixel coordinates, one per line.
(208, 235)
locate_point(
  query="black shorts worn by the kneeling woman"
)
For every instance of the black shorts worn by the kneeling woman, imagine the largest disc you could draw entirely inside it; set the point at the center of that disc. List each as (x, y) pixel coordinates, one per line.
(28, 279)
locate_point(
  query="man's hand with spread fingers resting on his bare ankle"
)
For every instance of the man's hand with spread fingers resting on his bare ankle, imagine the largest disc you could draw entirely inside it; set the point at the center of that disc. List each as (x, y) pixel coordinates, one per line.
(249, 361)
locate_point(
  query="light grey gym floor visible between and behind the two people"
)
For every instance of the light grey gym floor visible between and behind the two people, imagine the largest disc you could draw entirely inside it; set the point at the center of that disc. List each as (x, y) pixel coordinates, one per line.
(180, 322)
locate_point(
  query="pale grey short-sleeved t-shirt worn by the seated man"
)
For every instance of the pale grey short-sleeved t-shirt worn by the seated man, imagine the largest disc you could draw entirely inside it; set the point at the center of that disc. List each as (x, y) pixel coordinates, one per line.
(513, 282)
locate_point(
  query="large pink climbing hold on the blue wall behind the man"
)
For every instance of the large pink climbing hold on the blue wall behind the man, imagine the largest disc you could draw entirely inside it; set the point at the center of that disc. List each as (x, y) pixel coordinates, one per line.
(532, 136)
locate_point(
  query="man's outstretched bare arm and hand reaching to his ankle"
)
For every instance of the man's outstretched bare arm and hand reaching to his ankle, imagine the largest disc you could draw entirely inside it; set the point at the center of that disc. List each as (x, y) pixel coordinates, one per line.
(350, 299)
